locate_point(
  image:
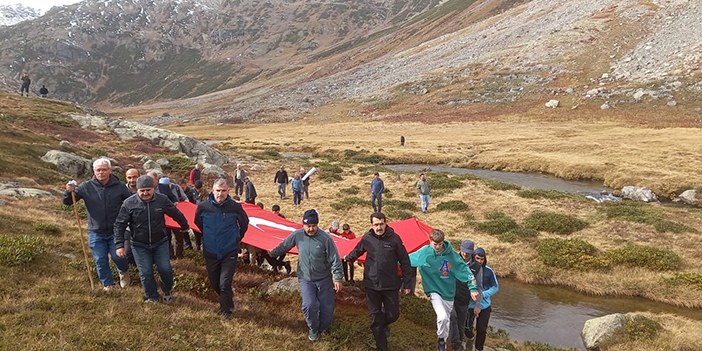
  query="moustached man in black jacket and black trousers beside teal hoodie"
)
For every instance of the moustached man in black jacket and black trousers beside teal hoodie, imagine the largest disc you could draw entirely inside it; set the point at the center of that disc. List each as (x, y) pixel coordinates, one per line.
(385, 251)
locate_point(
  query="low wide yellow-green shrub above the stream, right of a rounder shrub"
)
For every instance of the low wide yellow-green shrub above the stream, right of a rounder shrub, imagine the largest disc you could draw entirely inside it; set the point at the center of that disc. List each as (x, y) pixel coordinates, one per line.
(648, 257)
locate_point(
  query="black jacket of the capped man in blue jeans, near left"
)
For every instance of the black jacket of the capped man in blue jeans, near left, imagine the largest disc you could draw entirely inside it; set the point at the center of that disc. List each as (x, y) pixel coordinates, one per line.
(146, 220)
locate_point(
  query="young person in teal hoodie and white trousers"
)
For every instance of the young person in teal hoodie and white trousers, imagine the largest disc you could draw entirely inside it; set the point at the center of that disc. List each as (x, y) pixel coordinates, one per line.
(440, 267)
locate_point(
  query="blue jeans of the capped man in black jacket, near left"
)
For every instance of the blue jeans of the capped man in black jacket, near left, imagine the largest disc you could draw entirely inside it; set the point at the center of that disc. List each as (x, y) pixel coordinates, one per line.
(145, 258)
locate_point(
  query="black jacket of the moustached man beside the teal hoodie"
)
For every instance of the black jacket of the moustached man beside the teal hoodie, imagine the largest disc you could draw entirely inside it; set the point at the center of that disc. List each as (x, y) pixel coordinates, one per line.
(384, 254)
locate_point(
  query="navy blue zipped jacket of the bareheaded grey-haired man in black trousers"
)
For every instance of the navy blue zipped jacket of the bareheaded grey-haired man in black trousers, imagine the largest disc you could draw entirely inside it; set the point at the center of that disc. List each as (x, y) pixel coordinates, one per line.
(223, 225)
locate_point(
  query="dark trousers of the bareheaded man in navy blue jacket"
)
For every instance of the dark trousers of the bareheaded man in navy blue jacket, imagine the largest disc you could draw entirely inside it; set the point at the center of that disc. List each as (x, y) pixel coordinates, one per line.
(221, 273)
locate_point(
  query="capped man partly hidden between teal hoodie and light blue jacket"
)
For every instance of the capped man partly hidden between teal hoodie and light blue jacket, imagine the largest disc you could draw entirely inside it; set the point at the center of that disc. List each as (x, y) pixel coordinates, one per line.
(459, 315)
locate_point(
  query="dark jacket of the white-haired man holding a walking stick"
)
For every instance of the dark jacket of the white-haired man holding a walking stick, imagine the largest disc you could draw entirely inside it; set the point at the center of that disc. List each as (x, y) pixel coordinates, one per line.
(101, 201)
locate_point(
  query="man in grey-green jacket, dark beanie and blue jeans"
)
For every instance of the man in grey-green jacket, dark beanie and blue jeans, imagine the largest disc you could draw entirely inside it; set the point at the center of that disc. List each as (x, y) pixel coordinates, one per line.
(318, 258)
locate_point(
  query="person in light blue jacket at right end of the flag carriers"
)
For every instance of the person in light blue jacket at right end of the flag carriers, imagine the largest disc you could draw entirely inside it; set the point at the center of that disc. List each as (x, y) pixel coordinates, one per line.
(481, 311)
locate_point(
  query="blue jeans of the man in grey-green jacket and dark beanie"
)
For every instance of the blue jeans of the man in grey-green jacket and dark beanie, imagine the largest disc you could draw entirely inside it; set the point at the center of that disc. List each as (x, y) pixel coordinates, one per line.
(318, 303)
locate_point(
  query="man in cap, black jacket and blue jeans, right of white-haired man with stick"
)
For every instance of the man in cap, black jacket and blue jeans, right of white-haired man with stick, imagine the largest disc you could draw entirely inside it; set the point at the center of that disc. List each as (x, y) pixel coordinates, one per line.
(143, 213)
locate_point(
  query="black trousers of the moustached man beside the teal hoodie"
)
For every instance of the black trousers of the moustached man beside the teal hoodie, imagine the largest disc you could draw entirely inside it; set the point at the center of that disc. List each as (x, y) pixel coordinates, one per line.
(384, 309)
